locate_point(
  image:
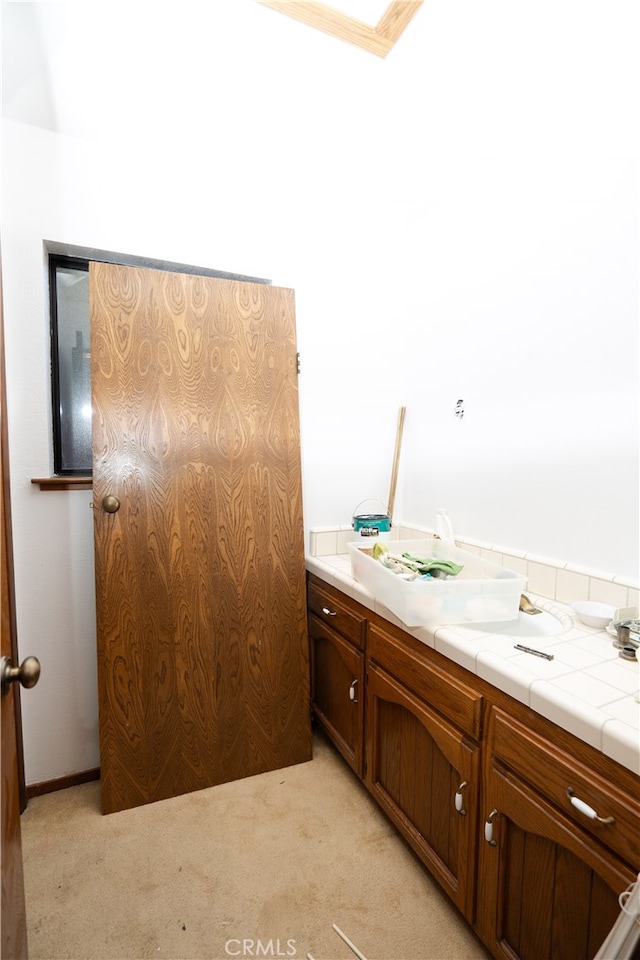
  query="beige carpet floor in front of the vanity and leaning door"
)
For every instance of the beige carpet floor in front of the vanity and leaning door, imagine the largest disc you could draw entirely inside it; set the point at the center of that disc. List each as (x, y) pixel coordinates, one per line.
(262, 867)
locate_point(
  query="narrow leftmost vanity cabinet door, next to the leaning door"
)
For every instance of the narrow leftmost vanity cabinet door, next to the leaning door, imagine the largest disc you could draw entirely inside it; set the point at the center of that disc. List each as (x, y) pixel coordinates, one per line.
(337, 690)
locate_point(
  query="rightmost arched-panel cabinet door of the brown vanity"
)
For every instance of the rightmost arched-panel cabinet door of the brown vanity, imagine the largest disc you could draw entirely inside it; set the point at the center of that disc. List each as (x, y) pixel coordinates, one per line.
(548, 889)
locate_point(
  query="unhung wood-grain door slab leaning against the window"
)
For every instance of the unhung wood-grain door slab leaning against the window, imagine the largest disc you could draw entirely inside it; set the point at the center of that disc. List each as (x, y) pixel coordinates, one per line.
(200, 581)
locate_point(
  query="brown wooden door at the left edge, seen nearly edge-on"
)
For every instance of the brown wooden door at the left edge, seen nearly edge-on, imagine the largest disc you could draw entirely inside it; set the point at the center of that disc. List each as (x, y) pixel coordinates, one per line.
(14, 925)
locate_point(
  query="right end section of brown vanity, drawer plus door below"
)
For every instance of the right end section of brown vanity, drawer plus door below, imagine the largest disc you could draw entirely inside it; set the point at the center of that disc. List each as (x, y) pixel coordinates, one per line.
(550, 877)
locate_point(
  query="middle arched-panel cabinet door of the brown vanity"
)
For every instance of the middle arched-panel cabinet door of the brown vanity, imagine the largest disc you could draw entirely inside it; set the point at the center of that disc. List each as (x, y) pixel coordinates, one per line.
(416, 764)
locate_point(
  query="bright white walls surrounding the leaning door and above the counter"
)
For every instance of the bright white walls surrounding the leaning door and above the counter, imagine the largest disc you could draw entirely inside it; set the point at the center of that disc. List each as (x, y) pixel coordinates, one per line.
(458, 221)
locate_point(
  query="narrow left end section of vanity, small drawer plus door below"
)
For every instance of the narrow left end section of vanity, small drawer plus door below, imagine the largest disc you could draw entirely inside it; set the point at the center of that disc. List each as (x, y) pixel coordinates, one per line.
(337, 631)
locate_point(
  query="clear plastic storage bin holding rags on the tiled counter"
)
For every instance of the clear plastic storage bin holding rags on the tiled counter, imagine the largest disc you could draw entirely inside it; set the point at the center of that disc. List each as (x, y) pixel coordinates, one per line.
(482, 592)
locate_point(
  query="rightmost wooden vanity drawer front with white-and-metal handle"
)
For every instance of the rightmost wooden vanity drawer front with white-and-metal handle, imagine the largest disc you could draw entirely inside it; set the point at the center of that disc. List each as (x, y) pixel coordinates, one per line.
(553, 772)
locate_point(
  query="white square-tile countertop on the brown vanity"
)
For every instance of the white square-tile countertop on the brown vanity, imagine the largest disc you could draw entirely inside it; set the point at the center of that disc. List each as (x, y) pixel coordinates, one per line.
(587, 689)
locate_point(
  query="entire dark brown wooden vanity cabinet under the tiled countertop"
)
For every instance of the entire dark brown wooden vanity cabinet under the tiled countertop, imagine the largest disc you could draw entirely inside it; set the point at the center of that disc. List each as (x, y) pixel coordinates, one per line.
(479, 785)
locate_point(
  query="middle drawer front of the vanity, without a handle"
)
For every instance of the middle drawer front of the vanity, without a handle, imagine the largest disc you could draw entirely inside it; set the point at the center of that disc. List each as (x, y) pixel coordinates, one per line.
(460, 704)
